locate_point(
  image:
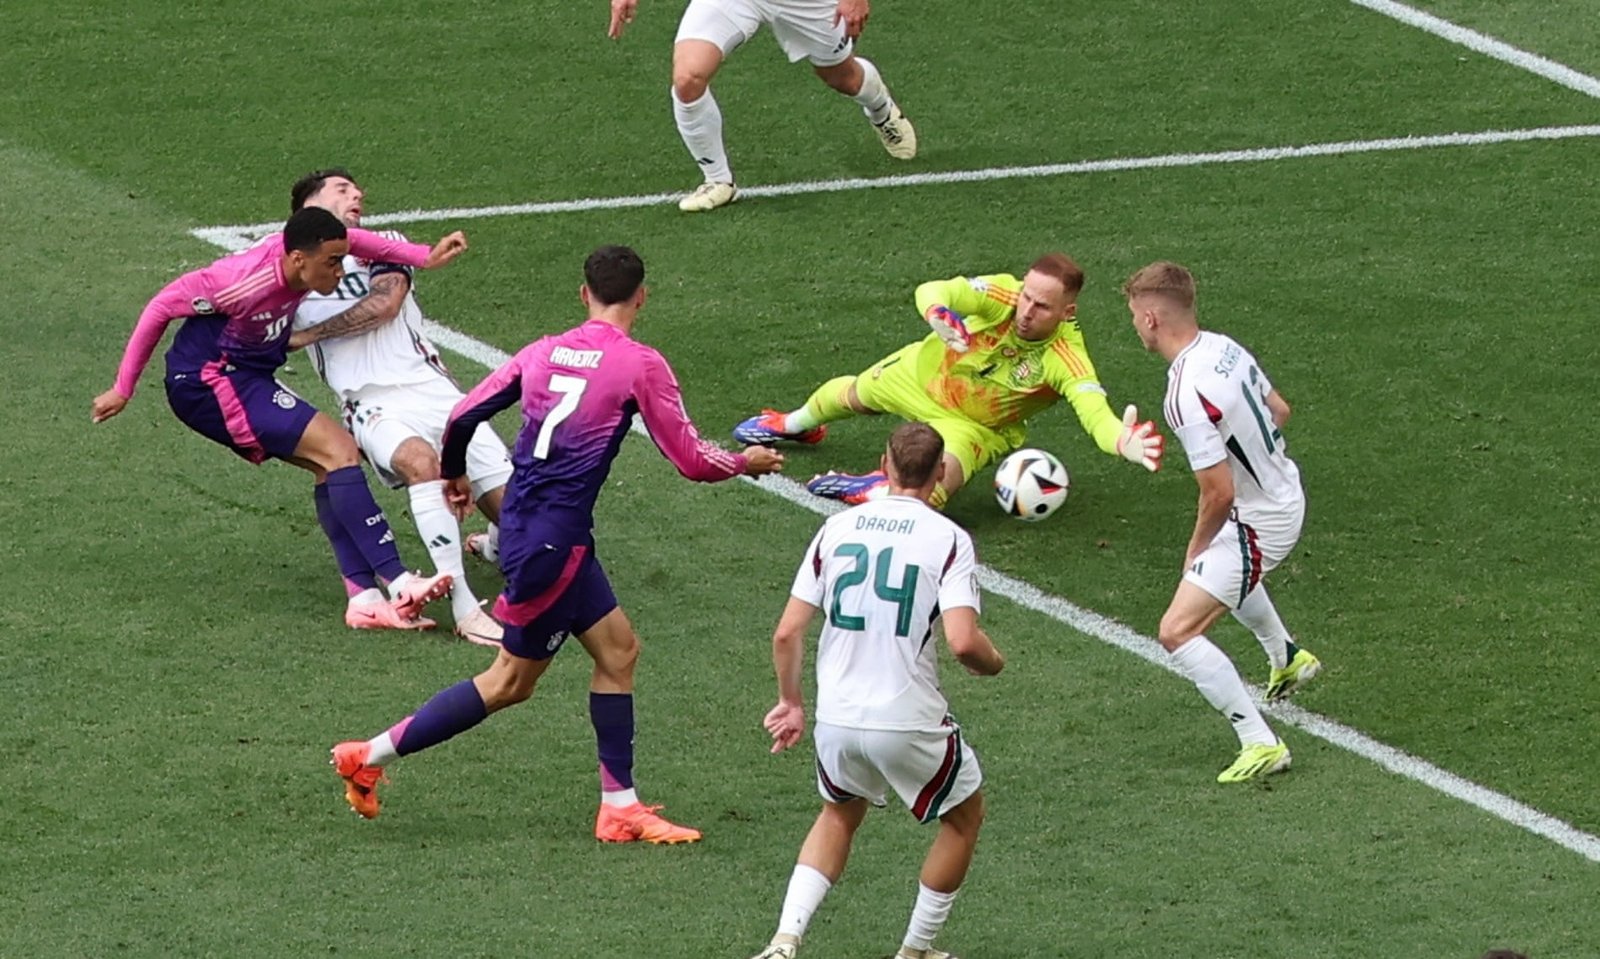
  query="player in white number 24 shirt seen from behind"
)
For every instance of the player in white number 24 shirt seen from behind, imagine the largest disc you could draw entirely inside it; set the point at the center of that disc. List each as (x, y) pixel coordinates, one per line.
(881, 720)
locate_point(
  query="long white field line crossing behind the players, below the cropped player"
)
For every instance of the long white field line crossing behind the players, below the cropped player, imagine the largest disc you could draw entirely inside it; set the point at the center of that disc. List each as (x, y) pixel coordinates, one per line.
(238, 238)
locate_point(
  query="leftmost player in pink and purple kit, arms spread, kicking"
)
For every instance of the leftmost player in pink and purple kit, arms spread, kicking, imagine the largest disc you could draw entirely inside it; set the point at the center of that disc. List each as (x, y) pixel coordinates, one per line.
(236, 327)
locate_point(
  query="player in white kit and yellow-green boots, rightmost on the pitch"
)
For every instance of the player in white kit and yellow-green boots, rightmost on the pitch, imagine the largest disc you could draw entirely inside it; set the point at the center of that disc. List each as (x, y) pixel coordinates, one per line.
(1230, 420)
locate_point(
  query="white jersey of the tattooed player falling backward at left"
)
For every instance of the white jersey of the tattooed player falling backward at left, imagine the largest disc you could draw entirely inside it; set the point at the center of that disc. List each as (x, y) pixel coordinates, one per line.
(394, 355)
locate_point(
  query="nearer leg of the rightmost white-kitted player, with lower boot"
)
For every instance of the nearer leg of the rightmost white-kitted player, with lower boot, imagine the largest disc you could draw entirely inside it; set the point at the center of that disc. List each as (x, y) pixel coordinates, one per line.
(1194, 609)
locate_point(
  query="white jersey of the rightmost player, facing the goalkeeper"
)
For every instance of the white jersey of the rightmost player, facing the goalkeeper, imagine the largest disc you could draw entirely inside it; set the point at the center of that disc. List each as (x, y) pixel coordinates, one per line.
(1217, 404)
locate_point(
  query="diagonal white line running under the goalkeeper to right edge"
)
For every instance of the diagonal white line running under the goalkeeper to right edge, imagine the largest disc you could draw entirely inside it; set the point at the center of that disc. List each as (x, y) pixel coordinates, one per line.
(1145, 648)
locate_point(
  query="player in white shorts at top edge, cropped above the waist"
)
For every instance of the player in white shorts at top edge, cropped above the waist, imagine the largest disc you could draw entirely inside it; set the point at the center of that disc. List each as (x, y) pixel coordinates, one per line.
(820, 31)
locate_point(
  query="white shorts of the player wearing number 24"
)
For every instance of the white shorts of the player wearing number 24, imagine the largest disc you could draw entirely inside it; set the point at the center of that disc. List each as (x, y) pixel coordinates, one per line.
(932, 771)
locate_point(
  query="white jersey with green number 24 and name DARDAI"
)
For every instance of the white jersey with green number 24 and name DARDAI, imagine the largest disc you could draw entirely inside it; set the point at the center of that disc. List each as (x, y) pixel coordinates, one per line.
(881, 574)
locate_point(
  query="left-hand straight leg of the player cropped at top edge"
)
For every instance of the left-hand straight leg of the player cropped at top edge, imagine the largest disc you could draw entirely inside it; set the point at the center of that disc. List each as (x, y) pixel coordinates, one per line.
(710, 31)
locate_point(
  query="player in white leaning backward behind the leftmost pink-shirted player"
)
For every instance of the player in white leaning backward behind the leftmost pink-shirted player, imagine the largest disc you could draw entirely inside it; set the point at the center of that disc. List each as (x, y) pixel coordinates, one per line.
(367, 343)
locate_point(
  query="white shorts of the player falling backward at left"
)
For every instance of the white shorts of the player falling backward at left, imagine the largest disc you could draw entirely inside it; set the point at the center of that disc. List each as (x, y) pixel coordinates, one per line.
(382, 419)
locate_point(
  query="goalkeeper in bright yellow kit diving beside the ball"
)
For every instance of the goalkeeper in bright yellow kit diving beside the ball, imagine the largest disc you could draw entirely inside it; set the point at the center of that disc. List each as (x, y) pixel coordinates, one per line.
(1001, 351)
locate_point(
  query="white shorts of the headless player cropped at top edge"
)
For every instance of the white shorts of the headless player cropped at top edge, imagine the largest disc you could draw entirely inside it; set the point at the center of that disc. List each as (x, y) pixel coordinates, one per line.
(804, 28)
